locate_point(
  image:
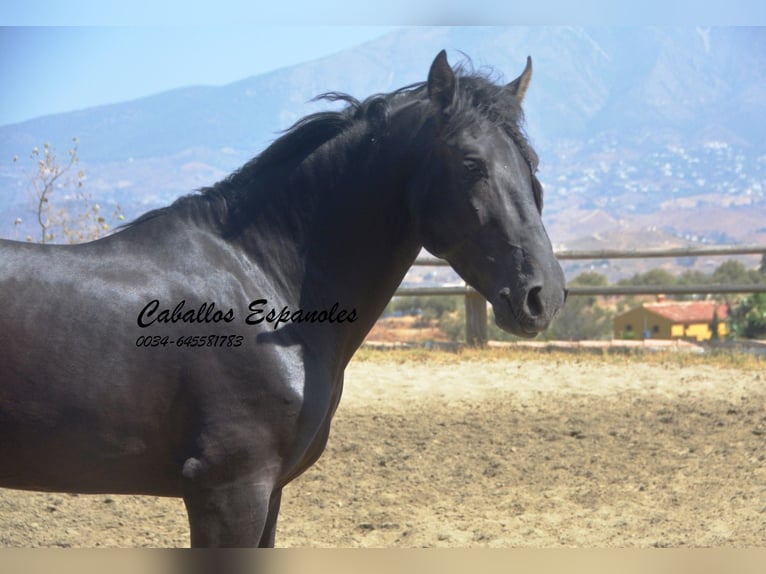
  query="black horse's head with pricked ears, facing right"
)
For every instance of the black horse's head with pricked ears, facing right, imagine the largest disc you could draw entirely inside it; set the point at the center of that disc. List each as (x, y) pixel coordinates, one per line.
(478, 204)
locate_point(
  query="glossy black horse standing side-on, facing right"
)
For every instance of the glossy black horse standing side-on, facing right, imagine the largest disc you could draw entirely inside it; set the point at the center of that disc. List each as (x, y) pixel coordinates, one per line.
(199, 352)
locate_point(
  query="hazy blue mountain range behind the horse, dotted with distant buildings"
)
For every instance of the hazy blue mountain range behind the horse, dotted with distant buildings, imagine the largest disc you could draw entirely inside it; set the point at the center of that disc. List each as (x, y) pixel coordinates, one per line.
(637, 128)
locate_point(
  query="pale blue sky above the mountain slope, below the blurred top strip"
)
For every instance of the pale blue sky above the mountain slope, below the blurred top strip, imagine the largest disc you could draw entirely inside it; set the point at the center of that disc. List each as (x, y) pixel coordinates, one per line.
(47, 70)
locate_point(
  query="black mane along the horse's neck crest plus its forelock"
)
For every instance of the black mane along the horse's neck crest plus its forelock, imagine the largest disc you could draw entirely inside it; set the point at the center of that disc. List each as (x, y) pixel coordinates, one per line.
(477, 96)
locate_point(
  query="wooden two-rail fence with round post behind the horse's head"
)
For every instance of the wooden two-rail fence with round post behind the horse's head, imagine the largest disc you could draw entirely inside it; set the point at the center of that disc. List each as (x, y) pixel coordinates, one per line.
(476, 306)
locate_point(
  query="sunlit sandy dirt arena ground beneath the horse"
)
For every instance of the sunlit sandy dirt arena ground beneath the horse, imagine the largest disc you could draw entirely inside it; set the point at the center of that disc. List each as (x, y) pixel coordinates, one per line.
(494, 449)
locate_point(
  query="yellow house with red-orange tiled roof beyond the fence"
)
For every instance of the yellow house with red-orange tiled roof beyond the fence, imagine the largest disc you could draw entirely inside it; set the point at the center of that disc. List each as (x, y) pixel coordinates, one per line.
(672, 320)
